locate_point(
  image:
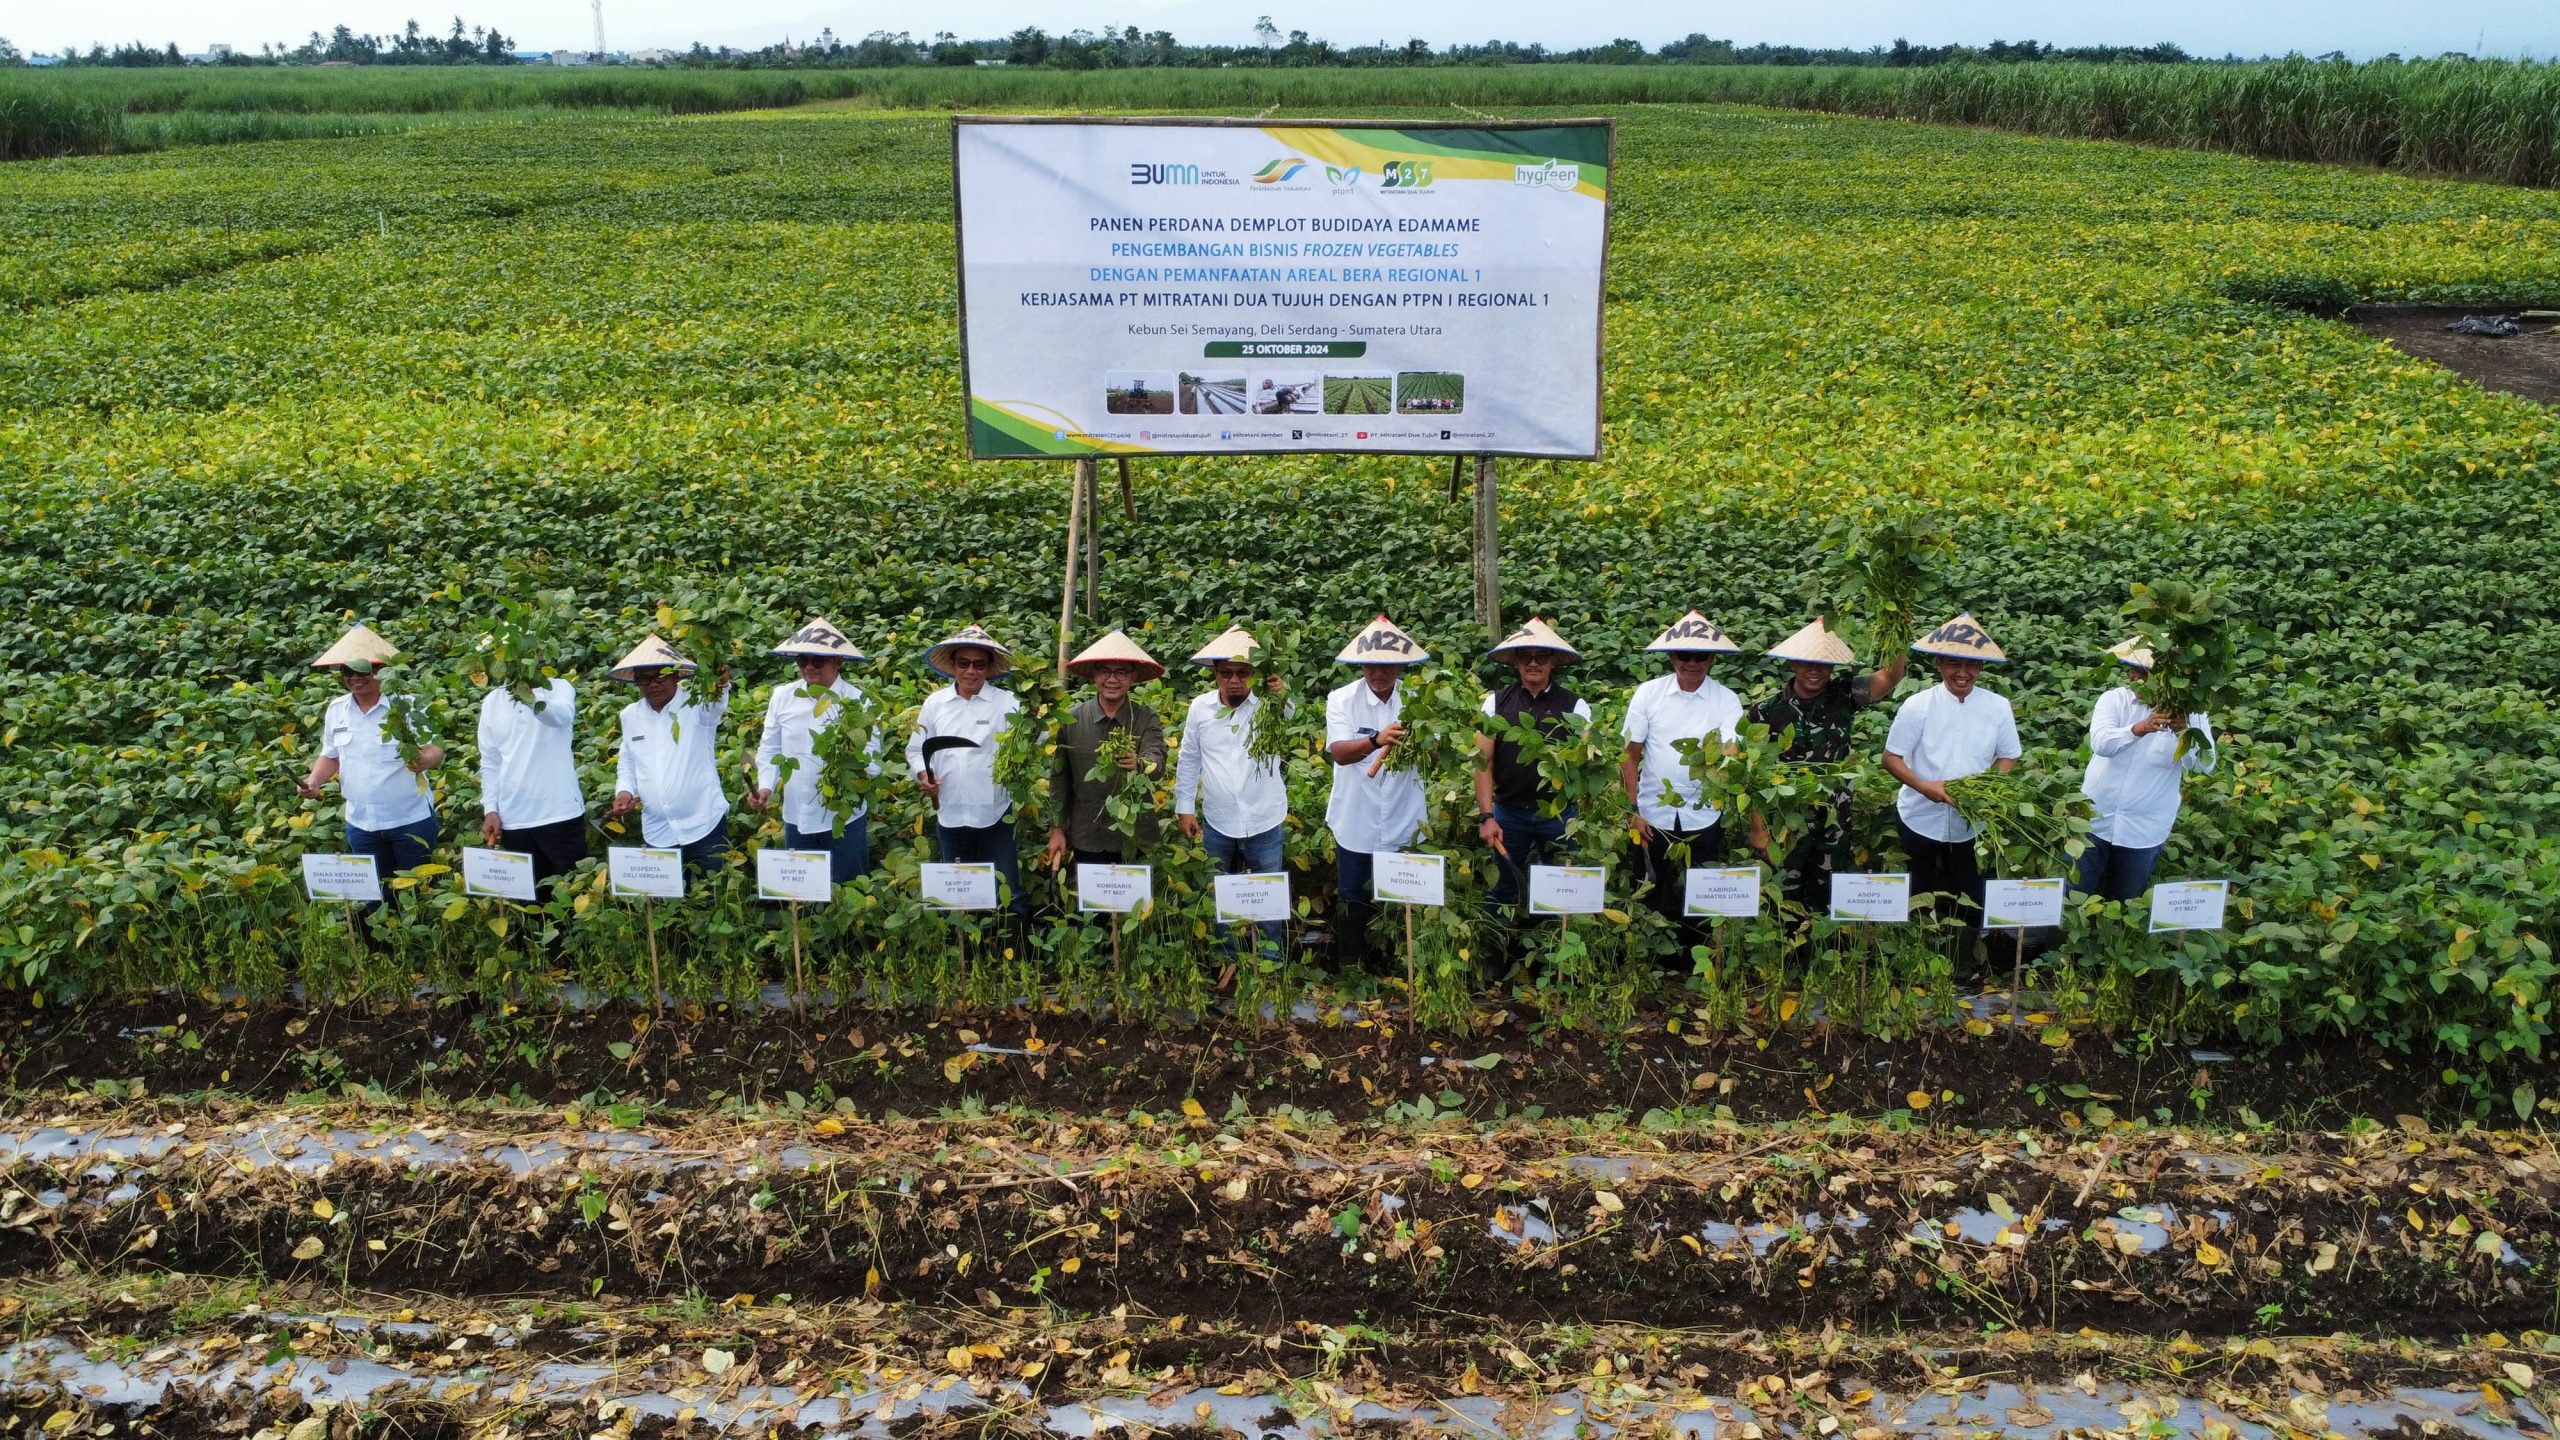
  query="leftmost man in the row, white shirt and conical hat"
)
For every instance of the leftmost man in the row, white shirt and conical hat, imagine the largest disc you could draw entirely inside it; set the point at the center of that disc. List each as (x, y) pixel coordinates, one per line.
(390, 814)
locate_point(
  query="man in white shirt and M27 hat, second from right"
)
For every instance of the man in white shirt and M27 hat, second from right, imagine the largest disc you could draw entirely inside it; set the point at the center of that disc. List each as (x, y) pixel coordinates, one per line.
(1949, 732)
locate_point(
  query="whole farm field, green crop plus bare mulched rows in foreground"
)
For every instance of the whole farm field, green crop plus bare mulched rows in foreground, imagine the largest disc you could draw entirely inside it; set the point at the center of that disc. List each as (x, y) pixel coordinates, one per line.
(467, 1170)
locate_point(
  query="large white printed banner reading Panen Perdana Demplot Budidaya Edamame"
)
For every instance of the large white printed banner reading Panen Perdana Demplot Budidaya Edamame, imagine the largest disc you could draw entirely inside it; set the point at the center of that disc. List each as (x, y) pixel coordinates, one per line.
(1235, 288)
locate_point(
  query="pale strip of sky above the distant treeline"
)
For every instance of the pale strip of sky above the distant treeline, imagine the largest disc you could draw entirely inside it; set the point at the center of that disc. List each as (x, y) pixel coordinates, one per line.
(2203, 27)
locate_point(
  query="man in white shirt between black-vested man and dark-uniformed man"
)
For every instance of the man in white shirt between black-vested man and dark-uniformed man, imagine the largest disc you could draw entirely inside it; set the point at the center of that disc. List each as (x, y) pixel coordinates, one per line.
(1678, 831)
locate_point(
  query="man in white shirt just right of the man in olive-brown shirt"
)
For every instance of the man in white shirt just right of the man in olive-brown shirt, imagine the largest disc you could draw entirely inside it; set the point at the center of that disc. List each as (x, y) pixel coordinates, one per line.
(1217, 778)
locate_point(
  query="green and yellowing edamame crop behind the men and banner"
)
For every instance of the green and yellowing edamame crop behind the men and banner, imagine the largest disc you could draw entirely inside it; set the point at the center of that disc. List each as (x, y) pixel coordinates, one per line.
(255, 393)
